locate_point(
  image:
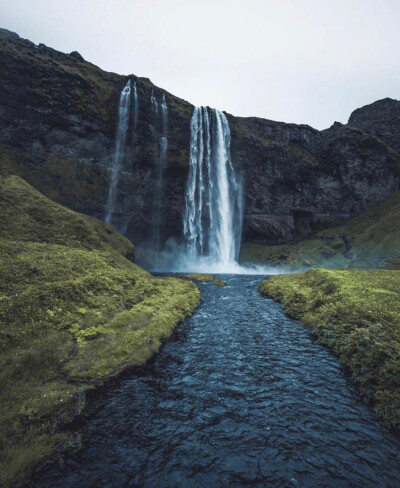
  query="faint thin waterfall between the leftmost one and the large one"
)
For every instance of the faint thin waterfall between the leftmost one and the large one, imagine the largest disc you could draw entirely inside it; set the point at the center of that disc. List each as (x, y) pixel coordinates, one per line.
(159, 126)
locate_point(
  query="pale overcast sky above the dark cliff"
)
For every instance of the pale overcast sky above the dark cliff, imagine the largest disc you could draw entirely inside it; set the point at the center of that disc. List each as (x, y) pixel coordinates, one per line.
(303, 61)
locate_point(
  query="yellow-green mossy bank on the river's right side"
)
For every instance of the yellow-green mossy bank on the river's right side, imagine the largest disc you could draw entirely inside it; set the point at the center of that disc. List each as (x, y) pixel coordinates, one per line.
(357, 314)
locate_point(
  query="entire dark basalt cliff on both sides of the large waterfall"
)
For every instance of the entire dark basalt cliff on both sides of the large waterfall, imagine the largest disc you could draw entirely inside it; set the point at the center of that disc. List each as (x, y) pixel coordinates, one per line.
(58, 117)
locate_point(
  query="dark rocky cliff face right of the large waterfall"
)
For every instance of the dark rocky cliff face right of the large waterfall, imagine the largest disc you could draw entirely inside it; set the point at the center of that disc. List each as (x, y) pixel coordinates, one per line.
(300, 180)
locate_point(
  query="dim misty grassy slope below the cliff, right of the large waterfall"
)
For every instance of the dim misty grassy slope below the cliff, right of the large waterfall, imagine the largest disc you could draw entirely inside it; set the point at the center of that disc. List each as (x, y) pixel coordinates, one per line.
(369, 240)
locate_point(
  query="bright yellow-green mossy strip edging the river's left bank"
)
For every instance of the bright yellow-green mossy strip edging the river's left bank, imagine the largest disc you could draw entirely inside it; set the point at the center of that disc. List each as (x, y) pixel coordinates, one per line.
(134, 334)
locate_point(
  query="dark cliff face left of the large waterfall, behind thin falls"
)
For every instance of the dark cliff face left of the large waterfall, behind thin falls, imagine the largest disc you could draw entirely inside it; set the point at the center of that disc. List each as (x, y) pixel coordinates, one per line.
(58, 117)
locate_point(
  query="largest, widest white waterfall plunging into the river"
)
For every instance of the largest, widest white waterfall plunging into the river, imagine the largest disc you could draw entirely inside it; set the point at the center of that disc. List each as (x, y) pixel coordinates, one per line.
(212, 223)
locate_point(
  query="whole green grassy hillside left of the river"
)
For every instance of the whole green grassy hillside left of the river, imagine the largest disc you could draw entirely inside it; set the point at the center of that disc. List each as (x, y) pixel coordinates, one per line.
(73, 311)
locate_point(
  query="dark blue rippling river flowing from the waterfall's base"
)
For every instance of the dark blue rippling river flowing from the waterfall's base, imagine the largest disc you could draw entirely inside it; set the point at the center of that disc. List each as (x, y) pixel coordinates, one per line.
(240, 396)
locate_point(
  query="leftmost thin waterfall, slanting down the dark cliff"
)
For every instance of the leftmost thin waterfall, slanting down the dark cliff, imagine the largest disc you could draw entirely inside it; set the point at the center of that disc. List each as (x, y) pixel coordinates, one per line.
(123, 120)
